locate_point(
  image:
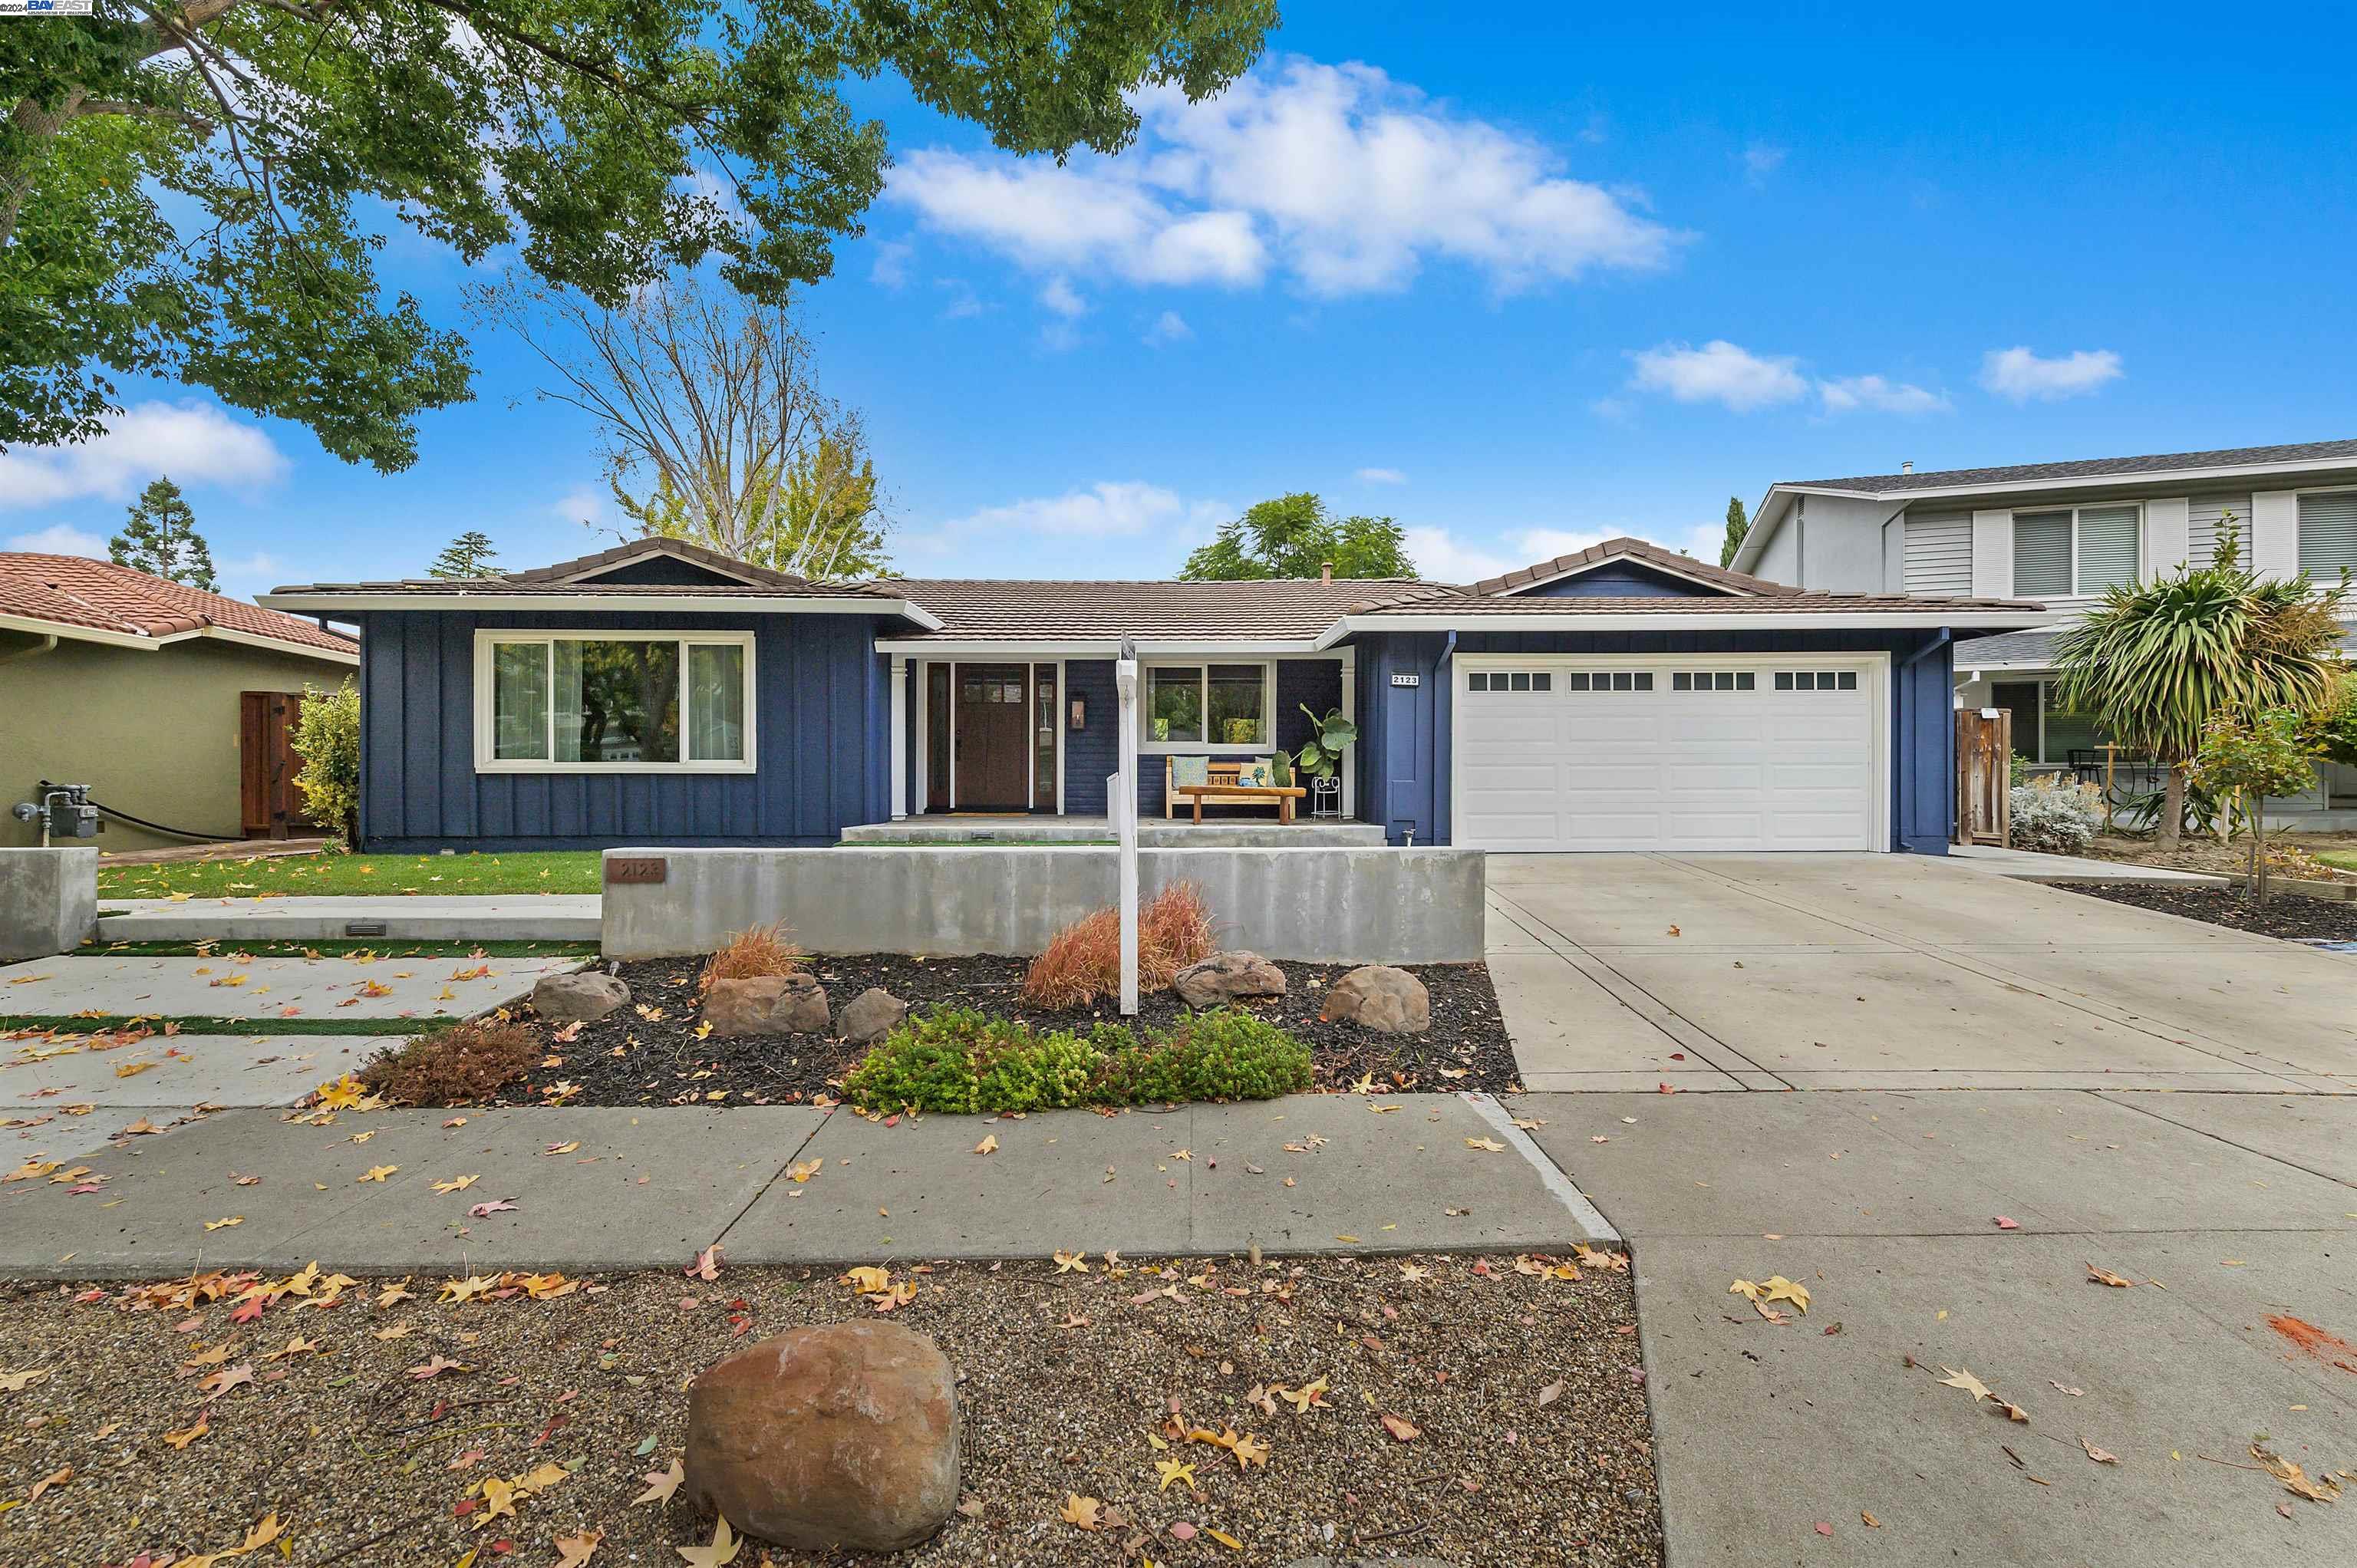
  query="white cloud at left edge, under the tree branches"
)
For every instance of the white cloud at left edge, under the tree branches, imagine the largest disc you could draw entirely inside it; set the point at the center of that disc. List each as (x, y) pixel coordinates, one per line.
(192, 442)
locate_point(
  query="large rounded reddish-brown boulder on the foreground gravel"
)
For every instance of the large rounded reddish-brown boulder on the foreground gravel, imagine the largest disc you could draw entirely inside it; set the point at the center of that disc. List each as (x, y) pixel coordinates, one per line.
(836, 1437)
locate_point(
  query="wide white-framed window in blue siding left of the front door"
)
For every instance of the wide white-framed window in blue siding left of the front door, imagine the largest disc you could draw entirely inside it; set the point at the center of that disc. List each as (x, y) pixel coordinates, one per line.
(623, 701)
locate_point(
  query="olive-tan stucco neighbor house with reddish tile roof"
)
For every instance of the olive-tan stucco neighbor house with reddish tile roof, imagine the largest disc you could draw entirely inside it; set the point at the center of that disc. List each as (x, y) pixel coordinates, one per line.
(166, 699)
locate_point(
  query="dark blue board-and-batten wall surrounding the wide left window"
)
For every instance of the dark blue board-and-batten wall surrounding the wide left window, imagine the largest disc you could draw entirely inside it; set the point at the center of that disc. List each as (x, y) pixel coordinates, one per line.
(821, 744)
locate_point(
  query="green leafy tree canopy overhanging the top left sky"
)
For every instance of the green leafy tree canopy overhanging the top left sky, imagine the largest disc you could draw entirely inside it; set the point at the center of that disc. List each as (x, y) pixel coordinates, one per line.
(190, 190)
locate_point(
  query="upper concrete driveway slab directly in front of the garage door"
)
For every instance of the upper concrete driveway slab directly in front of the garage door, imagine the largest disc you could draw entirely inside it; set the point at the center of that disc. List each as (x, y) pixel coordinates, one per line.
(1891, 973)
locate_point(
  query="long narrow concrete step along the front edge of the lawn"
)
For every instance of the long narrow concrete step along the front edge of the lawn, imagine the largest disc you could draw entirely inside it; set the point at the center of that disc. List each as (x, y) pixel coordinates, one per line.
(440, 918)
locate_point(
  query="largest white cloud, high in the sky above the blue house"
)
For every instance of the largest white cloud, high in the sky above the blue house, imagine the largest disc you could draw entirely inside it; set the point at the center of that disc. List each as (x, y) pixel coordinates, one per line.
(1333, 176)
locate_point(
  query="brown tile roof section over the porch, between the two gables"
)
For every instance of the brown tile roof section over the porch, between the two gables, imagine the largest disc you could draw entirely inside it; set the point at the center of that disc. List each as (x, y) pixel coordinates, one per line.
(1267, 610)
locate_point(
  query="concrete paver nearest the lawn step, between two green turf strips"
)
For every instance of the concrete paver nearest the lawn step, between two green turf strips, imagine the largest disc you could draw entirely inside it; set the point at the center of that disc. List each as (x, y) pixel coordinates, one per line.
(345, 987)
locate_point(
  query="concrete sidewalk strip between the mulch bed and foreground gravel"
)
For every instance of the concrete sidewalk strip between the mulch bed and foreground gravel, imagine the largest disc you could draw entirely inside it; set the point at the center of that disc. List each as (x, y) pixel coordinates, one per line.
(602, 1190)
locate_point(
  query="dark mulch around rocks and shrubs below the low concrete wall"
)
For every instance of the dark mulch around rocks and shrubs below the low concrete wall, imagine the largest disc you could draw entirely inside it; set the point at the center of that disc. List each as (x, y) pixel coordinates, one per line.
(649, 1055)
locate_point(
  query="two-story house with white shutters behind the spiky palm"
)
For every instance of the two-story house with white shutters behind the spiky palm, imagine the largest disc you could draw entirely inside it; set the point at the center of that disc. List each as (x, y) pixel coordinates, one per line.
(2066, 532)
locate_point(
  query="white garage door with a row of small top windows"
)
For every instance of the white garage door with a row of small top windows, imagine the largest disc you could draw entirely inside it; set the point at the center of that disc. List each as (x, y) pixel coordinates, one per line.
(1694, 753)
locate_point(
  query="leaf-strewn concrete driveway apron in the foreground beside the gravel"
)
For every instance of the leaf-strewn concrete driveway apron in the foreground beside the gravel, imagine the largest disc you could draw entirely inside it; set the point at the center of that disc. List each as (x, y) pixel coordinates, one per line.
(2233, 1213)
